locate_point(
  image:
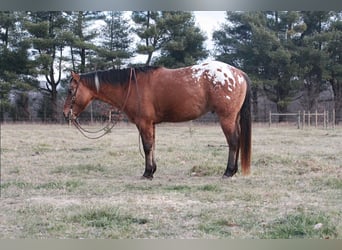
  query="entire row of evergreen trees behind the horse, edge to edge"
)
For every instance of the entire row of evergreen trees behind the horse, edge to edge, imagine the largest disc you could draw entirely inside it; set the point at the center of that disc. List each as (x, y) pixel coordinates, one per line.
(287, 54)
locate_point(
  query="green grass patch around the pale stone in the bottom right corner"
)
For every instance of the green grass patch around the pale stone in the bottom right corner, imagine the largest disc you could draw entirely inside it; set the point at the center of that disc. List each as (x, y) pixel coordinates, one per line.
(301, 225)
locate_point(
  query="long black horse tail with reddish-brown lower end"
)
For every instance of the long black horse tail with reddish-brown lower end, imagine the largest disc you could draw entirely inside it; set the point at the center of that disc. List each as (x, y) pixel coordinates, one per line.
(246, 131)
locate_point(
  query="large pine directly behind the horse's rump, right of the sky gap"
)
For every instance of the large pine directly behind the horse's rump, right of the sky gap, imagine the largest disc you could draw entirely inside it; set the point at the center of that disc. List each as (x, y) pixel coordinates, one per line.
(256, 42)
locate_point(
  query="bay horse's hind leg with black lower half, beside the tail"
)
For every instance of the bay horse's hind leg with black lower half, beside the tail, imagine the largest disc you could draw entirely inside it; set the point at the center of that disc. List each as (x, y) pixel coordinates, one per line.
(231, 130)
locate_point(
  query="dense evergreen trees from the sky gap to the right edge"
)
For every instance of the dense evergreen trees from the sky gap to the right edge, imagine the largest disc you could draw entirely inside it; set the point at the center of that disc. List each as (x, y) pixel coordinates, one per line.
(288, 54)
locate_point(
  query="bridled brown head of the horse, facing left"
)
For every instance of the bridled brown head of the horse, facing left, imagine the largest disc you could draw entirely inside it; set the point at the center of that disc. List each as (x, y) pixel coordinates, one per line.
(79, 97)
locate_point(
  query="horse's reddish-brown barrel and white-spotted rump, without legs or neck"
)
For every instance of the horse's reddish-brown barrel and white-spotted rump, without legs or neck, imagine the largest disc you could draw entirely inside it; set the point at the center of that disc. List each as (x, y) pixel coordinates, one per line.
(187, 93)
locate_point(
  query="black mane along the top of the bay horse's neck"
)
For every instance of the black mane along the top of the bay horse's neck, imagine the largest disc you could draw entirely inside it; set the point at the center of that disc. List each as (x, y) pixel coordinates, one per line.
(115, 76)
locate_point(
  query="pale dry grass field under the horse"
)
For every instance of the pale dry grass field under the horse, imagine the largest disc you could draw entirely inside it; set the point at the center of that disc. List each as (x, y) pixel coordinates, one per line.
(57, 184)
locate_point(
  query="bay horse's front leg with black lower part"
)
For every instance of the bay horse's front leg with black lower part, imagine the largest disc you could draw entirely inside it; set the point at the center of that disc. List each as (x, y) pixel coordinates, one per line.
(147, 133)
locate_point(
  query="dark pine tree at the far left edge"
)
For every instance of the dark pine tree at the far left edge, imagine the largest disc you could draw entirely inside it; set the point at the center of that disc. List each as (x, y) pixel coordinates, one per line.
(17, 71)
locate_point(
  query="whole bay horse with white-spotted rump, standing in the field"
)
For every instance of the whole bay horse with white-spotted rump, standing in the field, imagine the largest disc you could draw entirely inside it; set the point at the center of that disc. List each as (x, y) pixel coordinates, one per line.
(151, 95)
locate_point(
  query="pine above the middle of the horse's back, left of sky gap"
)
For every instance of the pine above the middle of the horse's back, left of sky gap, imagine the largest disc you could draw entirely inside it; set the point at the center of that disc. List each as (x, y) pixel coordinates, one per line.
(173, 33)
